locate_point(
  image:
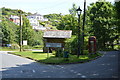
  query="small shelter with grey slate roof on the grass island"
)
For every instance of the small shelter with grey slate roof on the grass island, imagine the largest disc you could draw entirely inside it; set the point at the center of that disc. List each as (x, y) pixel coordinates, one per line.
(55, 38)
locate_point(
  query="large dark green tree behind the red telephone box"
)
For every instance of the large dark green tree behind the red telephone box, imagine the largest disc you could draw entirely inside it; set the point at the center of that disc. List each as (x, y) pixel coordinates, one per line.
(101, 22)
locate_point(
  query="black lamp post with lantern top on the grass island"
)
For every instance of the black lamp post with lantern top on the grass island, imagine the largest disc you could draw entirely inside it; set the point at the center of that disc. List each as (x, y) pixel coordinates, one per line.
(79, 45)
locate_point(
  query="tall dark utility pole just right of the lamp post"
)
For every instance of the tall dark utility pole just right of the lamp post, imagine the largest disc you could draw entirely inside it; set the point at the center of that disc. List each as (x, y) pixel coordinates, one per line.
(82, 45)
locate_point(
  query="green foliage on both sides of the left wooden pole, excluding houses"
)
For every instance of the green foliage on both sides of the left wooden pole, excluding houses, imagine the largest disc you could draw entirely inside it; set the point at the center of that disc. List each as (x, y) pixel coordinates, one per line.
(10, 32)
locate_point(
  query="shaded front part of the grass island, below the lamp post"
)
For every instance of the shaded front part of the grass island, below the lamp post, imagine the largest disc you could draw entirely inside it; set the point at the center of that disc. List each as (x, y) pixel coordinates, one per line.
(71, 59)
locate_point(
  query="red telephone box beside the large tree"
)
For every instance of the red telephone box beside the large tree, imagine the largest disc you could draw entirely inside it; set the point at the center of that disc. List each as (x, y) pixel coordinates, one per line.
(92, 44)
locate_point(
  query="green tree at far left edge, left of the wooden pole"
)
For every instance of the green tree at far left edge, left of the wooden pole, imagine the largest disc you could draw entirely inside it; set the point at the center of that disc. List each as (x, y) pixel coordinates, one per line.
(8, 31)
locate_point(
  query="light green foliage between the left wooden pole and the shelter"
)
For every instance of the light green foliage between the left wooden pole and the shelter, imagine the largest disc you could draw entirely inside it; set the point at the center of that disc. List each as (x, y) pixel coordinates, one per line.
(33, 37)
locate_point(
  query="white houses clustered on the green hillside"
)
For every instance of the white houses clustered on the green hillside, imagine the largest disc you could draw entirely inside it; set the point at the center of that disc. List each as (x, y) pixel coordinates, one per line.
(33, 19)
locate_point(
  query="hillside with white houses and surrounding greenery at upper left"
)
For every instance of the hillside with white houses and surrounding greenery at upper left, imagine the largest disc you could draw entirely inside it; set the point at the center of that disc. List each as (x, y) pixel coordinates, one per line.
(37, 21)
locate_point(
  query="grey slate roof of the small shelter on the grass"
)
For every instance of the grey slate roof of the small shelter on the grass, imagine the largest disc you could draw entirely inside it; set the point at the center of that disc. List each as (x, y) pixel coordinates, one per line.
(57, 34)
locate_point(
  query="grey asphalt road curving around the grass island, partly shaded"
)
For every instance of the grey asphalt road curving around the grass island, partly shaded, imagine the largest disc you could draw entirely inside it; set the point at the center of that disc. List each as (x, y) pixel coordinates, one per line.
(17, 67)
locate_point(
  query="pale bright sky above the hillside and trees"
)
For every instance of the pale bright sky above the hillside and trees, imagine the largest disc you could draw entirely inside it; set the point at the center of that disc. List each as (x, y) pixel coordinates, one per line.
(44, 7)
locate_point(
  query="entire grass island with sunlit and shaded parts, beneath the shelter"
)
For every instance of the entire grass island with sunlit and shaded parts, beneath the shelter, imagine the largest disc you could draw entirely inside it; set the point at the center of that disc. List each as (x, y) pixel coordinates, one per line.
(42, 57)
